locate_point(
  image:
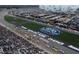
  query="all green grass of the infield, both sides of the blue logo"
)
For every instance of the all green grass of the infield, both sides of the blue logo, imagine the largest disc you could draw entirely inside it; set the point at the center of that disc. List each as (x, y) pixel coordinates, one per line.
(66, 37)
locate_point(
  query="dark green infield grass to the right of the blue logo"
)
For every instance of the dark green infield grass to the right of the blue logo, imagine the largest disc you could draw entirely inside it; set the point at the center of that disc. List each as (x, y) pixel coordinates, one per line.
(69, 38)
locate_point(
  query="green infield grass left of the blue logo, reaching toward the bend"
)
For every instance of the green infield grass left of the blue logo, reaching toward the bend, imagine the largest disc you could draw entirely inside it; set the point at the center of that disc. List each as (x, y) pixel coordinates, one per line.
(29, 25)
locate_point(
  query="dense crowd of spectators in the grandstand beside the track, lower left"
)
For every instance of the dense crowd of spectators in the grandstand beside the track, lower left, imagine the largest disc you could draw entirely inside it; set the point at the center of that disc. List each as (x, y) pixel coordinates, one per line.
(10, 43)
